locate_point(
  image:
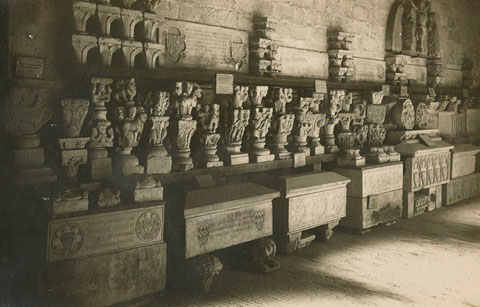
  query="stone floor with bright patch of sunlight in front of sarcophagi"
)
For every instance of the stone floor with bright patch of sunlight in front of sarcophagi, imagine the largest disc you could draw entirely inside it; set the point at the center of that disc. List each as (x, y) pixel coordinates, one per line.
(430, 260)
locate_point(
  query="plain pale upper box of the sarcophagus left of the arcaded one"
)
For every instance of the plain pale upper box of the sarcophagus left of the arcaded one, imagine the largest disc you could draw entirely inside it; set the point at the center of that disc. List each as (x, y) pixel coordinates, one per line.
(373, 179)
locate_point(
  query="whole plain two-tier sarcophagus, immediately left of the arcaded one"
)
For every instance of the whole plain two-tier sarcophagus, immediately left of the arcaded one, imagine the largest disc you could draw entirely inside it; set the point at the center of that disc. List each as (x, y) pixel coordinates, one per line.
(374, 195)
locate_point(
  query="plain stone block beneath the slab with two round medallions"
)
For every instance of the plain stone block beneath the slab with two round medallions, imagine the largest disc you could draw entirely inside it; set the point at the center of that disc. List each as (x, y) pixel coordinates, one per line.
(108, 279)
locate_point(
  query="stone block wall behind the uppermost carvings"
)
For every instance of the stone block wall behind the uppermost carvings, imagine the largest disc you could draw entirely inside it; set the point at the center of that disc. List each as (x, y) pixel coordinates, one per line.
(43, 29)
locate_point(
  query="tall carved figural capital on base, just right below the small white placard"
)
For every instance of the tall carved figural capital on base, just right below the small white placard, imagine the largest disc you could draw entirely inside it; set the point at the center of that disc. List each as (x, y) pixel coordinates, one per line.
(235, 122)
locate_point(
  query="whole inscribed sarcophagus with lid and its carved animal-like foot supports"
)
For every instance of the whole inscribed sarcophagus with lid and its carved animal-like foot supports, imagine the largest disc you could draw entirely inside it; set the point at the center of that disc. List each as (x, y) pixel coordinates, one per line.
(215, 218)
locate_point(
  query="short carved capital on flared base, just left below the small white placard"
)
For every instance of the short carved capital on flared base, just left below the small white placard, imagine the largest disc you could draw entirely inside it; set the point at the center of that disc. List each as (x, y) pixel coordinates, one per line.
(208, 117)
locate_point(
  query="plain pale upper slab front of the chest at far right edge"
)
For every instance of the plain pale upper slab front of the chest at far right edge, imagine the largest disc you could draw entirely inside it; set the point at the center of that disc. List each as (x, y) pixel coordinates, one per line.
(463, 160)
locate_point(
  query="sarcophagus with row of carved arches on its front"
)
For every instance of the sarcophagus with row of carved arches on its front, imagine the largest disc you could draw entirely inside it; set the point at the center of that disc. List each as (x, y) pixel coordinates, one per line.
(427, 168)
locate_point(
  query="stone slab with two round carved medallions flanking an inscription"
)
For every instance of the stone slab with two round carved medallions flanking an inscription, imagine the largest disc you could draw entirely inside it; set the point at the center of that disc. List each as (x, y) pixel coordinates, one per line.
(95, 234)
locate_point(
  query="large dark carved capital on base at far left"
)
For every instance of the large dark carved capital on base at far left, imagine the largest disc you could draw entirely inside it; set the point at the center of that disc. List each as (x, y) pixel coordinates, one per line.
(26, 111)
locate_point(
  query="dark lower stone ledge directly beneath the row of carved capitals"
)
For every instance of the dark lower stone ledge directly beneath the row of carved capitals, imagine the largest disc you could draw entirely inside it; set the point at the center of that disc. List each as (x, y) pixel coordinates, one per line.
(171, 178)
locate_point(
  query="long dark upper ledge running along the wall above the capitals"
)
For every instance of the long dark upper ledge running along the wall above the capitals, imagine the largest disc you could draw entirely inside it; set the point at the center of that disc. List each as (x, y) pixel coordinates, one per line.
(208, 76)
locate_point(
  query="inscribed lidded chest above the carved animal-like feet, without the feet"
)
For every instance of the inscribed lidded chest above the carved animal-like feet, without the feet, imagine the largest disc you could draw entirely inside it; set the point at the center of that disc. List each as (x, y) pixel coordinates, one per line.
(220, 217)
